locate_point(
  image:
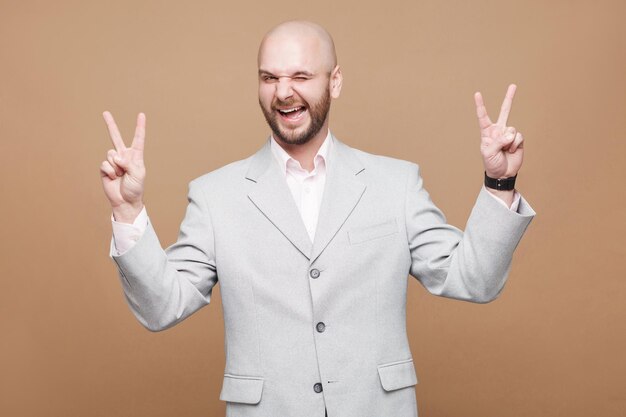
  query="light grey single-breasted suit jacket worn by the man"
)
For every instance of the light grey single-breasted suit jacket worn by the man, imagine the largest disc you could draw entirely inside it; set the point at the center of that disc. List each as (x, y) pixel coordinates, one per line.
(377, 225)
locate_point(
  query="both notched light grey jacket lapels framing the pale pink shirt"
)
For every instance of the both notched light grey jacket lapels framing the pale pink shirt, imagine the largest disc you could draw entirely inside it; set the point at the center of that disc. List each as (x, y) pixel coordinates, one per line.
(272, 197)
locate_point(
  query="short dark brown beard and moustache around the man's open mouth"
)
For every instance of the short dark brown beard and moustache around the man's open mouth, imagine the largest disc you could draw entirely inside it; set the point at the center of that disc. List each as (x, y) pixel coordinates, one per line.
(318, 113)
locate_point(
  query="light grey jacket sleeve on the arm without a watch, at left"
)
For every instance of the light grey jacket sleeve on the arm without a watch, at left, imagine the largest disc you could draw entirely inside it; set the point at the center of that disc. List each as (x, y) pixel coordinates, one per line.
(163, 287)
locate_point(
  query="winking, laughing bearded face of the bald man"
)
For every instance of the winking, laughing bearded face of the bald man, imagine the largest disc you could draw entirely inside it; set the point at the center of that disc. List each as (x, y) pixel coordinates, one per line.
(295, 89)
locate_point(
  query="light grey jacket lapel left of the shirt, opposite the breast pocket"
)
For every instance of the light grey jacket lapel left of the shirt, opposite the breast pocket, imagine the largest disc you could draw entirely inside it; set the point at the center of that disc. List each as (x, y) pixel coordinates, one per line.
(272, 196)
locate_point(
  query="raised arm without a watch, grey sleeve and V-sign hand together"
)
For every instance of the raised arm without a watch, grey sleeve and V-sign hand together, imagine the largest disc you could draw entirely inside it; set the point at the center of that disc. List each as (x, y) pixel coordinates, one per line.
(162, 287)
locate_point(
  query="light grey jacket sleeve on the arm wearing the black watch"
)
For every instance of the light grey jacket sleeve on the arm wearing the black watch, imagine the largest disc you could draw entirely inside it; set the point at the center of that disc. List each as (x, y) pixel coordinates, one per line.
(472, 265)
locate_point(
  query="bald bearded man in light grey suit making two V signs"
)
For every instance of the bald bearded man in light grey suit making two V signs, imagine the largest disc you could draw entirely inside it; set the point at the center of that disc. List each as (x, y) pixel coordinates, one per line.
(312, 242)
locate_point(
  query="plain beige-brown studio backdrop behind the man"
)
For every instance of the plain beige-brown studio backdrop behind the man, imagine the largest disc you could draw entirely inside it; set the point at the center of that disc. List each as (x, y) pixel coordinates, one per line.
(553, 343)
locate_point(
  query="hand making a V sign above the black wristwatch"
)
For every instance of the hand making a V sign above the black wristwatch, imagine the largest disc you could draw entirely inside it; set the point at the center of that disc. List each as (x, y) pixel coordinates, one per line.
(502, 146)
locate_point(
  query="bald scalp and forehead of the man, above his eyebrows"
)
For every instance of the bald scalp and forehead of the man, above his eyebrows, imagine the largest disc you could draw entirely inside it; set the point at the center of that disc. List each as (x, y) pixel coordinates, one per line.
(301, 37)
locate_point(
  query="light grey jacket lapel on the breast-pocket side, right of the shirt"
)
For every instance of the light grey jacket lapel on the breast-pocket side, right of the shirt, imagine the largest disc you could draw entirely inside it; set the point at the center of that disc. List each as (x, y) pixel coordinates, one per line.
(342, 193)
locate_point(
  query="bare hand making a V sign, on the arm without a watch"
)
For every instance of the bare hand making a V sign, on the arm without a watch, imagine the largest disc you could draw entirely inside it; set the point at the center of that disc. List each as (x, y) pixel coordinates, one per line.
(123, 172)
